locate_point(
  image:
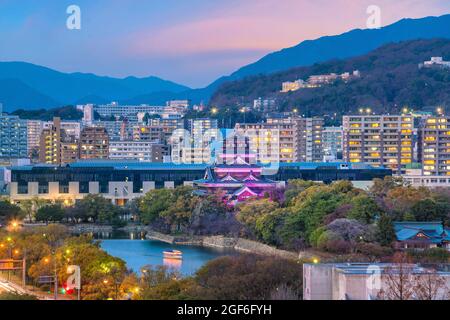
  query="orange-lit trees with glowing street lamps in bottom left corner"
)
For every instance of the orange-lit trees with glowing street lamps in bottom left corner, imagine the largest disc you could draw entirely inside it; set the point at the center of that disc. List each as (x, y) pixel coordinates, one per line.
(52, 247)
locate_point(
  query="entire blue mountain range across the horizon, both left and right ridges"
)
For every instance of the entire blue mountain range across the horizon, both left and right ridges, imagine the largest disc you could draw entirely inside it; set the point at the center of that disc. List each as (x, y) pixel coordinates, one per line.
(28, 86)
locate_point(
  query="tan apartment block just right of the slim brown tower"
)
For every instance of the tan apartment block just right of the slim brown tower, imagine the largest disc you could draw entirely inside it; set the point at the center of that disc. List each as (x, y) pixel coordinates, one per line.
(94, 143)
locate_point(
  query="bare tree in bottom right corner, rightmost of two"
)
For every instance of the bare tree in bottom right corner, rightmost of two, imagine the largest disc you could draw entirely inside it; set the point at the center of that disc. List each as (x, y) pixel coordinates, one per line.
(431, 286)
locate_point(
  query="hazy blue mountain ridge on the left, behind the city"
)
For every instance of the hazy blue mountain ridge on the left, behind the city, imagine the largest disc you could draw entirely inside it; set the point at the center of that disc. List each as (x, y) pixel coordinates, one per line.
(31, 86)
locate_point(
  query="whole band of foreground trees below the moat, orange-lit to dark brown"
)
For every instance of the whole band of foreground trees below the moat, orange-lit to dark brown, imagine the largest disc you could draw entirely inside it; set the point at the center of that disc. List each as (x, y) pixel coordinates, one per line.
(103, 277)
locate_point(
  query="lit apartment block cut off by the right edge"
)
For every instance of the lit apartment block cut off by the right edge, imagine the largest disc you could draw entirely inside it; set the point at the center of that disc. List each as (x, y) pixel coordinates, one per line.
(434, 146)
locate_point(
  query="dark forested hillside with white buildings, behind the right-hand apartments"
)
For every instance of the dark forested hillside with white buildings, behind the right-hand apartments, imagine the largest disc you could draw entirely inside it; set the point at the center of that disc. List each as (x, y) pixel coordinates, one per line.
(390, 79)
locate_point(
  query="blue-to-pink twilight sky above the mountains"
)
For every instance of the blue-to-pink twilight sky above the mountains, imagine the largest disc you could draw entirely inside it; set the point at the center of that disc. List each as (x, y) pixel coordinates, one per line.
(192, 42)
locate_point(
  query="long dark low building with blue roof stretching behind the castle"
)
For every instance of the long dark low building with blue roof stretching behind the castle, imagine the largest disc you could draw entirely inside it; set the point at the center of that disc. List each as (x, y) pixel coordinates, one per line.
(124, 181)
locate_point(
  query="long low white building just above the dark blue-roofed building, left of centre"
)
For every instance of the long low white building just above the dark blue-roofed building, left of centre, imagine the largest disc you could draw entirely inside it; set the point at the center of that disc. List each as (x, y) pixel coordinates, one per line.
(145, 151)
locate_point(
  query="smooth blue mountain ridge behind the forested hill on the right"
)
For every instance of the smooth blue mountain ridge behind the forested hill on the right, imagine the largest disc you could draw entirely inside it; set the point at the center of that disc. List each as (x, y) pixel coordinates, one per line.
(350, 44)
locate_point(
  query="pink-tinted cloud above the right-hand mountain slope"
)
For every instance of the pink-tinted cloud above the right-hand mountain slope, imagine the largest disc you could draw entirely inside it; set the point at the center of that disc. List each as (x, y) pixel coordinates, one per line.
(267, 25)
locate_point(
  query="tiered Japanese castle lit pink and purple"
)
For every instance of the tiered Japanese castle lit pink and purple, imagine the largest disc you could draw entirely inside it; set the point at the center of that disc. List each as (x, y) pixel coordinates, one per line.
(237, 179)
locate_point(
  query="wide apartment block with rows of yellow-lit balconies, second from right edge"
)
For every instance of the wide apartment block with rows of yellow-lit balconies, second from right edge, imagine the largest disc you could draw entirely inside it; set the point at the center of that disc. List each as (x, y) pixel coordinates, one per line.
(379, 140)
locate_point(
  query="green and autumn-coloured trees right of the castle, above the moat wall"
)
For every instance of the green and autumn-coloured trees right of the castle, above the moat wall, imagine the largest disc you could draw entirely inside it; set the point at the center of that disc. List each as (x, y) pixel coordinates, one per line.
(341, 219)
